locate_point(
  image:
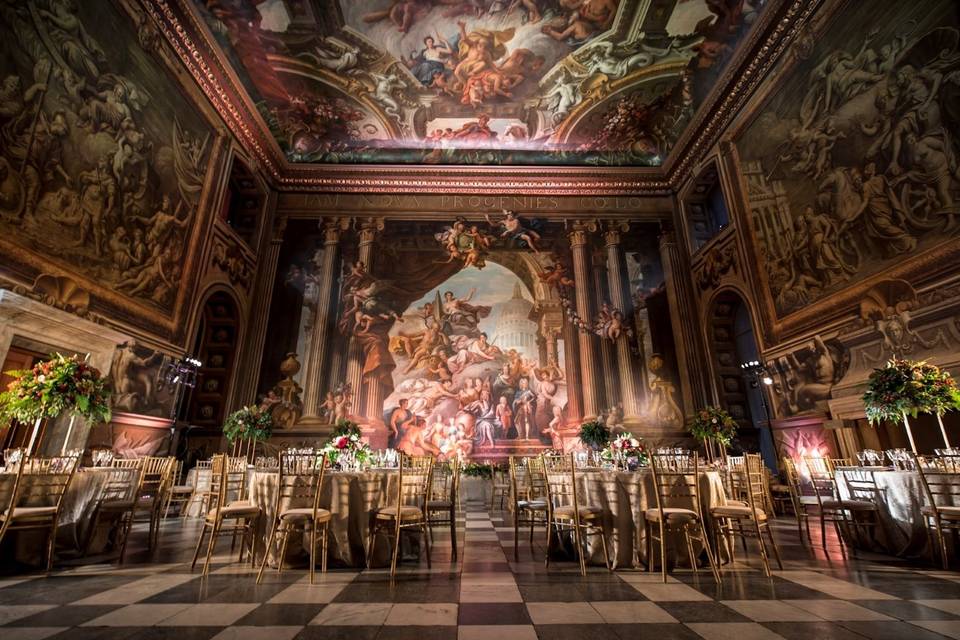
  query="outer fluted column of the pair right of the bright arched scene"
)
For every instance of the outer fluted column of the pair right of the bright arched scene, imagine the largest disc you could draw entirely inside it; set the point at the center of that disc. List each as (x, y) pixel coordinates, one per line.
(631, 392)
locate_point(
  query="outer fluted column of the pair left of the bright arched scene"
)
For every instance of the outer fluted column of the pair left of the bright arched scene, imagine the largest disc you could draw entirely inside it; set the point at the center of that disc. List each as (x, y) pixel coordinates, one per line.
(315, 378)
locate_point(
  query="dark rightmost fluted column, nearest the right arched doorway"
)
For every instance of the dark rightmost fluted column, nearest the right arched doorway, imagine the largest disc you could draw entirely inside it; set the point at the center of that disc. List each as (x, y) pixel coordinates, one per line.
(695, 387)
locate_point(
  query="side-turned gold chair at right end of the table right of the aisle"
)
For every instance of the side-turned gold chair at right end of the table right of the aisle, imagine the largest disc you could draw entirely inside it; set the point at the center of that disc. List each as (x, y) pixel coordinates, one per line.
(749, 521)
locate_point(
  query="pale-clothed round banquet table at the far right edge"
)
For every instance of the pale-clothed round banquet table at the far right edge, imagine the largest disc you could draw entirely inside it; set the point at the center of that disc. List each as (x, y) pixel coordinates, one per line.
(899, 496)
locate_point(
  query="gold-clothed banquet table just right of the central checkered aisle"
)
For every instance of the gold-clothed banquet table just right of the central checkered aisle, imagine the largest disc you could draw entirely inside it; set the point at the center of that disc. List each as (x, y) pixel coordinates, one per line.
(624, 497)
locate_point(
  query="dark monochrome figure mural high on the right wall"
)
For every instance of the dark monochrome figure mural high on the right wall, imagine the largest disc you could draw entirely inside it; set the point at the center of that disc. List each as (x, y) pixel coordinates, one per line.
(851, 166)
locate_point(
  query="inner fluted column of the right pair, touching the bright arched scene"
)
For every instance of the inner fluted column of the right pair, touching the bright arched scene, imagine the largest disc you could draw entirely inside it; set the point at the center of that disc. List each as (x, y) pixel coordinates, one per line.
(585, 309)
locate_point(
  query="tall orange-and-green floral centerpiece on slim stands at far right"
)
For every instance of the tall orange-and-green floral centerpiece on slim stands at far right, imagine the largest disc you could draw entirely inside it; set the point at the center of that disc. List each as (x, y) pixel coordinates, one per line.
(905, 387)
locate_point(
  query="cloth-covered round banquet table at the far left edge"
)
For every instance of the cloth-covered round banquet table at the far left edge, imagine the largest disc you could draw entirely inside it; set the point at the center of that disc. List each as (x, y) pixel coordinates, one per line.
(76, 516)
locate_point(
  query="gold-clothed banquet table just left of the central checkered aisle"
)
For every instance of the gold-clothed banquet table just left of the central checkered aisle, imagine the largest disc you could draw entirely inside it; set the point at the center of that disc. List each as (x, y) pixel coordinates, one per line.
(351, 497)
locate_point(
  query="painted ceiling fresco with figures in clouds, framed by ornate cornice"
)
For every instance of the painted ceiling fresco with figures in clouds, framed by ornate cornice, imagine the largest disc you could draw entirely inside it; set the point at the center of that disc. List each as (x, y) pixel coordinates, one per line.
(551, 82)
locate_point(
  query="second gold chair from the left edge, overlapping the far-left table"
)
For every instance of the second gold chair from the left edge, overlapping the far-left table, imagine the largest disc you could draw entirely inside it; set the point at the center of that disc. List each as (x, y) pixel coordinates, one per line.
(118, 501)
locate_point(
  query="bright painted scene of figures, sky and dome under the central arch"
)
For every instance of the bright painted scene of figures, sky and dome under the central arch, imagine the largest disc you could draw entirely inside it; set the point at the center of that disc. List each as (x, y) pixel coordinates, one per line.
(468, 377)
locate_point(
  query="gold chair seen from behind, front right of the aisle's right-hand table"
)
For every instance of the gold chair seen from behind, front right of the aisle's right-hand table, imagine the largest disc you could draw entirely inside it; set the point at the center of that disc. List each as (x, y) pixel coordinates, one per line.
(675, 484)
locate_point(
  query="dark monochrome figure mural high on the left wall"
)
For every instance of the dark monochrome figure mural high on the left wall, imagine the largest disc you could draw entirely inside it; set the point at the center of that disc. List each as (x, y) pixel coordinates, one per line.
(96, 171)
